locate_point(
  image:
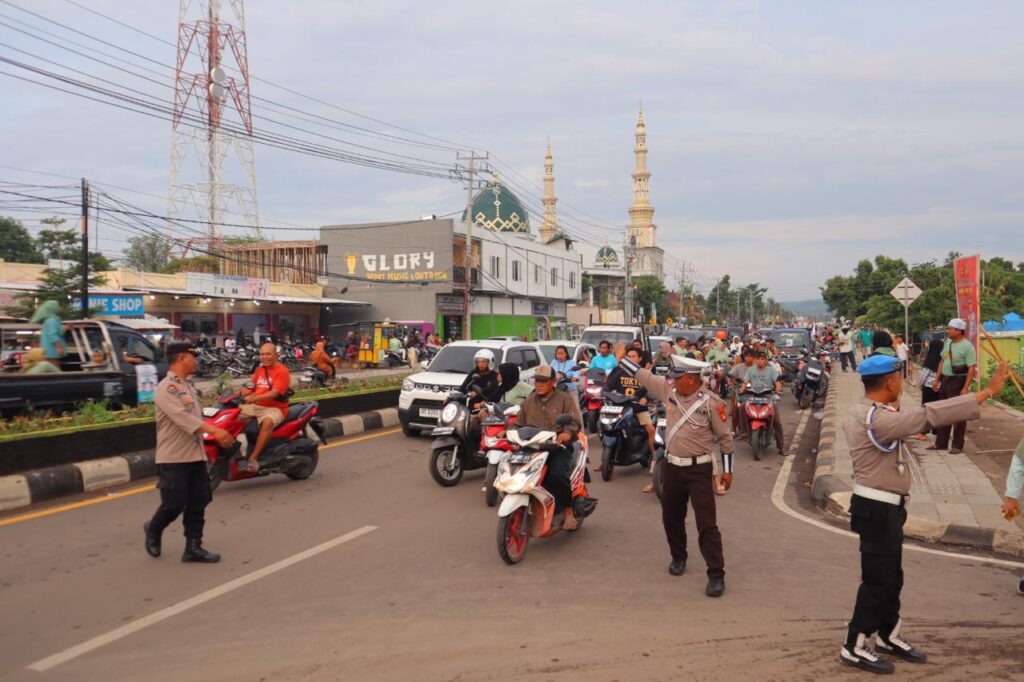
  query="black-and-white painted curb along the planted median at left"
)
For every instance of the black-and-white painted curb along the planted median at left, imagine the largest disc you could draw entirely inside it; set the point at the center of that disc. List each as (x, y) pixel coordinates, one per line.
(42, 485)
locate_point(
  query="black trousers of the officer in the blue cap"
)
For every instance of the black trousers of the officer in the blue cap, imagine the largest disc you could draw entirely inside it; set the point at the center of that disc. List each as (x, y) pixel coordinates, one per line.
(881, 529)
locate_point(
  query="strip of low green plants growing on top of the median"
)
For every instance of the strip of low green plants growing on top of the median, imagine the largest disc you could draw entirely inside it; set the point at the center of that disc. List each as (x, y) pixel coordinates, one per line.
(91, 416)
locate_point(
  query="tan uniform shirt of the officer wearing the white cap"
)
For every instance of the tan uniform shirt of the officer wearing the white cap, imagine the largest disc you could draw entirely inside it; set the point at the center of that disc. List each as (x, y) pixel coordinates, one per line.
(708, 424)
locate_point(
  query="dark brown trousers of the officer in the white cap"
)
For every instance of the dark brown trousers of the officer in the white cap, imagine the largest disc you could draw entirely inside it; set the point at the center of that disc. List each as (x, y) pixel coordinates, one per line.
(694, 486)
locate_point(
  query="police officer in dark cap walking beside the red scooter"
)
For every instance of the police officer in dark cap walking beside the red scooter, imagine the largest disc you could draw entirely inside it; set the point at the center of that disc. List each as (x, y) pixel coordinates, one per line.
(185, 484)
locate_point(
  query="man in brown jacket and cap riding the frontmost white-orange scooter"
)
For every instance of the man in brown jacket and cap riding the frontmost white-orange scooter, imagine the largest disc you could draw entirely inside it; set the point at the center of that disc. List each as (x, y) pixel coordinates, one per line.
(540, 410)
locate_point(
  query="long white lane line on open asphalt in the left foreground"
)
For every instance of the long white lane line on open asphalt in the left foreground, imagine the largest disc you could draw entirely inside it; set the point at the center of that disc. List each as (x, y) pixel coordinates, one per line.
(164, 614)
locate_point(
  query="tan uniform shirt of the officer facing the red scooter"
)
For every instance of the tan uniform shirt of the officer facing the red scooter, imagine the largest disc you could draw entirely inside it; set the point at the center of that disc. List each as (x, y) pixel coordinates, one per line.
(180, 415)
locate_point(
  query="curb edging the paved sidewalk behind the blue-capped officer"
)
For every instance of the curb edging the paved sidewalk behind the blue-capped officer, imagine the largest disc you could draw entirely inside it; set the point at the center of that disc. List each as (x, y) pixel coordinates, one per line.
(832, 494)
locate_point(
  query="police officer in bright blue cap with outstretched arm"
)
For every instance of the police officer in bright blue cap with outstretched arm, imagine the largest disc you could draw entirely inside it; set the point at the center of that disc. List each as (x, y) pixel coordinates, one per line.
(878, 509)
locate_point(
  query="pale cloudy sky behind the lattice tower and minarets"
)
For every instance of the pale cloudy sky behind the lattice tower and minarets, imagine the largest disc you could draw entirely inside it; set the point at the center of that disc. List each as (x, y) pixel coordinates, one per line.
(788, 140)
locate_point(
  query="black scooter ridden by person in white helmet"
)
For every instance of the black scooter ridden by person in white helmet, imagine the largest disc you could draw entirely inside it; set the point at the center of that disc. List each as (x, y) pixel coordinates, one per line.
(455, 449)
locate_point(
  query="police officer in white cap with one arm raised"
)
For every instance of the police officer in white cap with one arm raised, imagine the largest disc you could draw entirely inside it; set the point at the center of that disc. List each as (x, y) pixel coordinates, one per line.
(695, 419)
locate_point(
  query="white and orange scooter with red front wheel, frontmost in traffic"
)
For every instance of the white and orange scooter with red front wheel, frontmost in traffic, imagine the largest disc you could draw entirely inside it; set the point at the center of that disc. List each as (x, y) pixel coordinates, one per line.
(529, 510)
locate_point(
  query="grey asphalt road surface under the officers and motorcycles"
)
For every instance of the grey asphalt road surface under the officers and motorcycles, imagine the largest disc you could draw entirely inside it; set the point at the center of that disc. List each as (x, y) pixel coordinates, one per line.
(424, 596)
